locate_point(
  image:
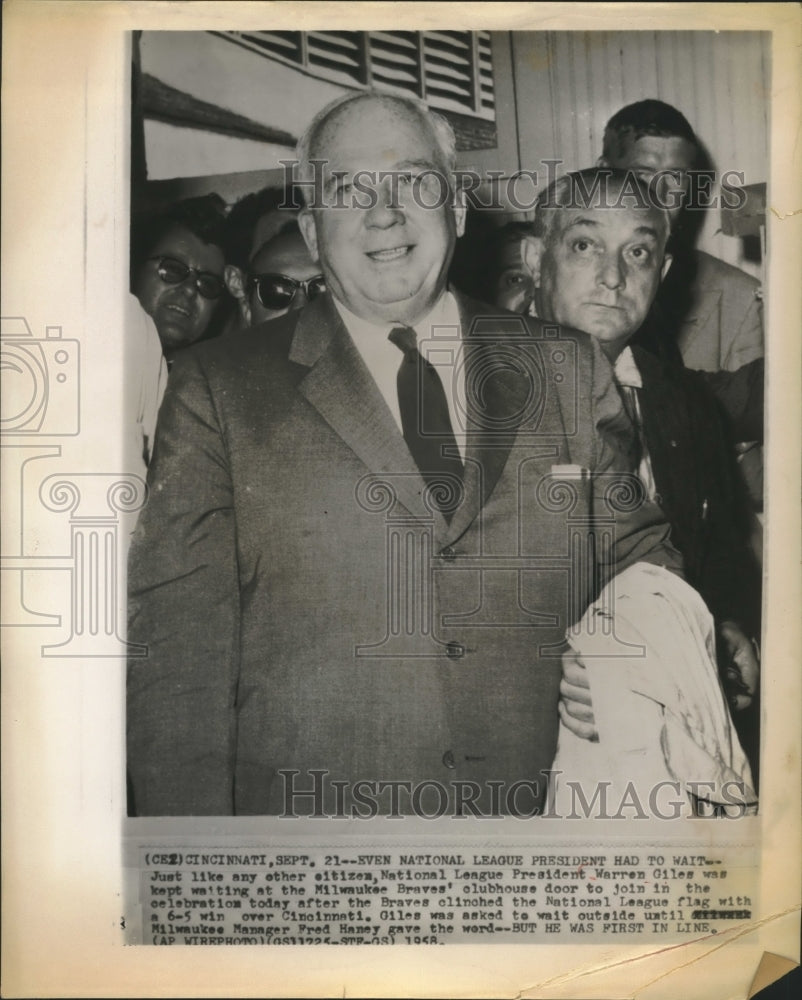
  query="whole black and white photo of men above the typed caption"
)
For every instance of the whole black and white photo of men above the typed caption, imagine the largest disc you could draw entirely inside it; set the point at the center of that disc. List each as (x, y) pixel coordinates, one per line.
(356, 567)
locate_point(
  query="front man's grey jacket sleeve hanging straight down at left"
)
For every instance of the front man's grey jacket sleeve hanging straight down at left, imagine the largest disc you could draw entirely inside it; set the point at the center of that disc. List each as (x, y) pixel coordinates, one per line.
(184, 607)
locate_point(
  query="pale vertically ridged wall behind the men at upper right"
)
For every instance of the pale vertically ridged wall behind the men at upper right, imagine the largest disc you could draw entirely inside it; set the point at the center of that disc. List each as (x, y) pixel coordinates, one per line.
(568, 84)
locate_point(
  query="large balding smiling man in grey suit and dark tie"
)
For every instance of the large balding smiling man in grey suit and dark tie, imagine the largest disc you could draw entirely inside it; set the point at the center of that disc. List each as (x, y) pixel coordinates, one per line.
(340, 617)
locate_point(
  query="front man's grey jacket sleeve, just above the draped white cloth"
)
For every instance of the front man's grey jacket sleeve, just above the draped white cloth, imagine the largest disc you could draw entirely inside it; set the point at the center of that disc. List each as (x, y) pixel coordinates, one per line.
(629, 528)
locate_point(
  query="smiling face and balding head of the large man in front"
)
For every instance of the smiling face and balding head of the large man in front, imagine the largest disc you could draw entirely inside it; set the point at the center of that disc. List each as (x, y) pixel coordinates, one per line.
(386, 261)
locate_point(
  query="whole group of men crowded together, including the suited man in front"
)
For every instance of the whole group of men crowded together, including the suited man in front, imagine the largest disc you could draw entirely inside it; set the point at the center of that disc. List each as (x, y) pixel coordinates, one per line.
(355, 566)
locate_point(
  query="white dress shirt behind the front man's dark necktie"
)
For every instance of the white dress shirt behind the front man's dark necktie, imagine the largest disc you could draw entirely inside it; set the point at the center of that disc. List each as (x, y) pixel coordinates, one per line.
(439, 342)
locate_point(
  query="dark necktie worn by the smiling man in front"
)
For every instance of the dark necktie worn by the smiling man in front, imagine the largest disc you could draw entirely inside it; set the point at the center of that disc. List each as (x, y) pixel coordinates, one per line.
(426, 424)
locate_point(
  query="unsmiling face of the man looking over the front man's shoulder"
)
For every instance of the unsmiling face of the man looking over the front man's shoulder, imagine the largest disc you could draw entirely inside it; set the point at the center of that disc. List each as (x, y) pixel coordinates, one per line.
(599, 270)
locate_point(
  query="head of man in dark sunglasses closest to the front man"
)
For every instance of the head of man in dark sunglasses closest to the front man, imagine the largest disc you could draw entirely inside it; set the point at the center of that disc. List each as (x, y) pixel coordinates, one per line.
(268, 268)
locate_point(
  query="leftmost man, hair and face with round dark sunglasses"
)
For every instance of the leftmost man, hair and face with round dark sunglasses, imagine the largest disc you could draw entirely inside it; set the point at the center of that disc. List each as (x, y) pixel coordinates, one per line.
(177, 269)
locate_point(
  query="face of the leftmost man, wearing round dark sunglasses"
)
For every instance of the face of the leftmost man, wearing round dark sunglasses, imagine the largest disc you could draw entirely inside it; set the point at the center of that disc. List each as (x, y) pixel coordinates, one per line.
(181, 314)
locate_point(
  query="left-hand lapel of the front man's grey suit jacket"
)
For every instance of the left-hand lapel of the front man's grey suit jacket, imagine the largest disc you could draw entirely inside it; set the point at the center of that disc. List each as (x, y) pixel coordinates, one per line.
(342, 390)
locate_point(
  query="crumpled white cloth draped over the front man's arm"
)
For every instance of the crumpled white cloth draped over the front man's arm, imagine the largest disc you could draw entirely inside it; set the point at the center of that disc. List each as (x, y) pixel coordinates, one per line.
(649, 647)
